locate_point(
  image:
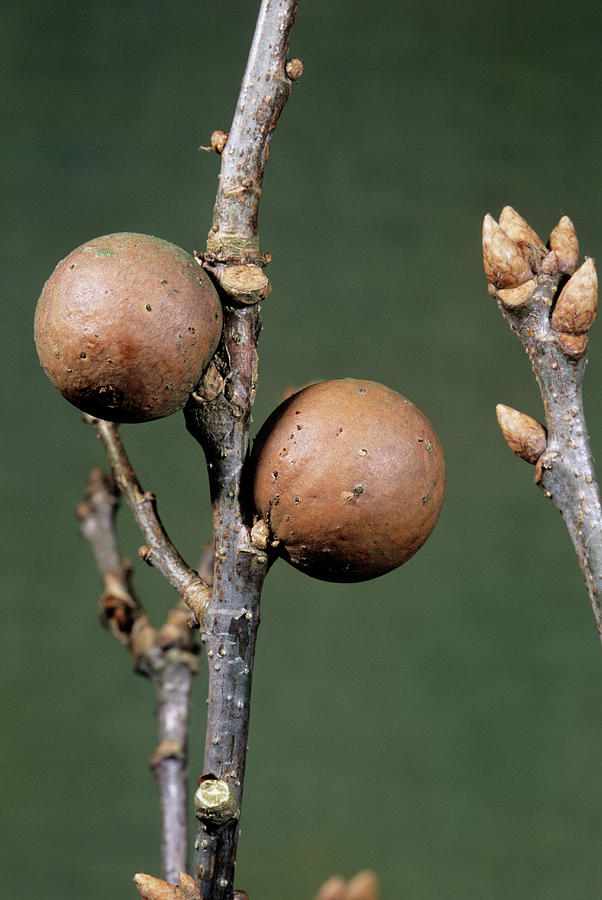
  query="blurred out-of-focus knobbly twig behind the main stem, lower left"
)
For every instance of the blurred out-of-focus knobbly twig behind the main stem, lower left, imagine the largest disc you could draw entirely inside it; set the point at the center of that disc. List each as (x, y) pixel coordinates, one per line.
(168, 656)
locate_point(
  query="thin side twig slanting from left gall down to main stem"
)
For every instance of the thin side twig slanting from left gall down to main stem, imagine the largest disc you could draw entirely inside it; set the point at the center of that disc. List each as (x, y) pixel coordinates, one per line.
(159, 551)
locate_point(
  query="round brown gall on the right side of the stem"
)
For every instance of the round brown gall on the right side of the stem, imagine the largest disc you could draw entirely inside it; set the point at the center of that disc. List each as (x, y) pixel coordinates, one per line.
(350, 477)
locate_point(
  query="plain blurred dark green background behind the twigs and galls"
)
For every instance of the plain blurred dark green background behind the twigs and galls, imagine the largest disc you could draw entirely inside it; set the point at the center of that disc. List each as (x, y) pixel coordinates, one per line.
(440, 725)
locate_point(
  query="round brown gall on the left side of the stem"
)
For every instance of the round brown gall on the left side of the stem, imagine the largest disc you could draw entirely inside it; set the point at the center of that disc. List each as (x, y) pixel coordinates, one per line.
(126, 325)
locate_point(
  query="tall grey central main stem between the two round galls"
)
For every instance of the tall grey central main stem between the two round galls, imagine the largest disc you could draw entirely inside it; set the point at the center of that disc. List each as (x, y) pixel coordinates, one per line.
(221, 425)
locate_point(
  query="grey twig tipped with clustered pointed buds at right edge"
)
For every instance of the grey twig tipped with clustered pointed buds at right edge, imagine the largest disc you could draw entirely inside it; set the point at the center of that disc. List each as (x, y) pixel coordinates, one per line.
(550, 305)
